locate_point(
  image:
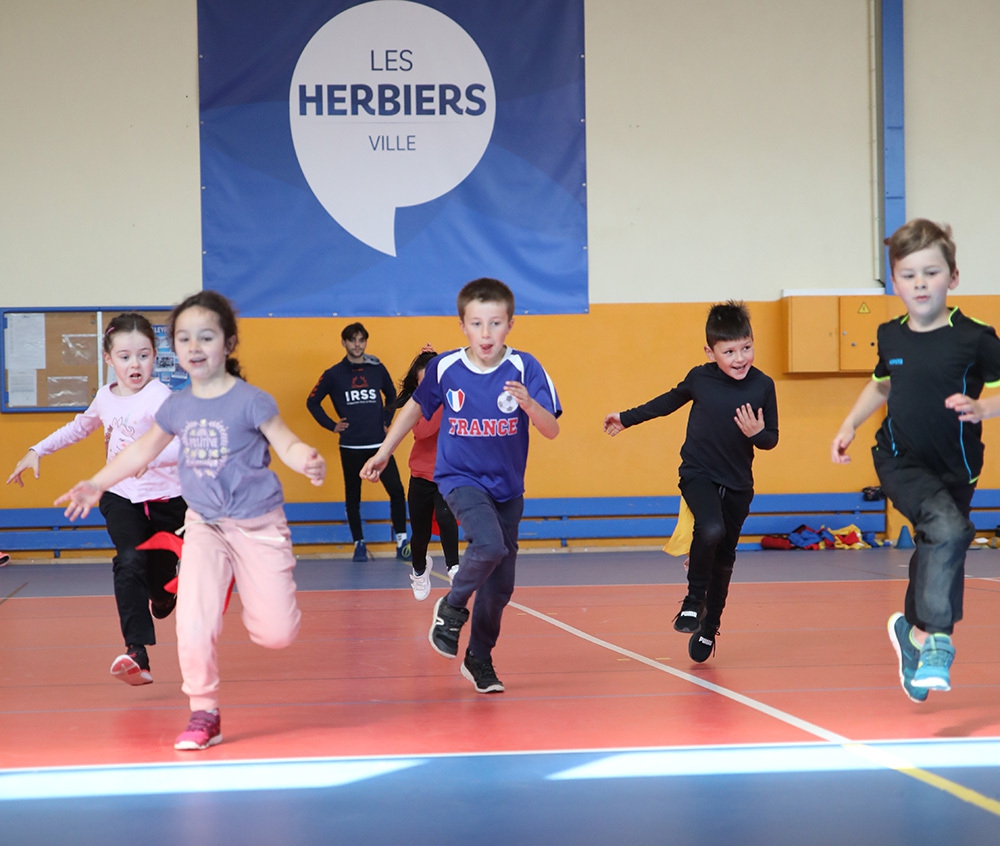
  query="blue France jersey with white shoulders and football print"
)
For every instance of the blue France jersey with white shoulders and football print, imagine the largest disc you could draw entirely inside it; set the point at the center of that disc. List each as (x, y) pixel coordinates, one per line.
(484, 433)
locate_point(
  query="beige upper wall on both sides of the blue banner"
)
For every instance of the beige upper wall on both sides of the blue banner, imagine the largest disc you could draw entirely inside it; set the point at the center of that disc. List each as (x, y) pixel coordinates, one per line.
(729, 146)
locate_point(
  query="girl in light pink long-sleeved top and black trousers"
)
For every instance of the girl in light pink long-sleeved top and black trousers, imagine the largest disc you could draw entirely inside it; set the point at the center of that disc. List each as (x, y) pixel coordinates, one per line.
(138, 506)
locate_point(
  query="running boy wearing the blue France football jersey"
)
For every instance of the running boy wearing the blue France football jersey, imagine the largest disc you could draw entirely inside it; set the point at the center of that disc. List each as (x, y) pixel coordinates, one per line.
(490, 394)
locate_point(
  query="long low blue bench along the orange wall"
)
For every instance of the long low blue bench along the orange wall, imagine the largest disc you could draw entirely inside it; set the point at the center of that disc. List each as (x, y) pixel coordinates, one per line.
(547, 520)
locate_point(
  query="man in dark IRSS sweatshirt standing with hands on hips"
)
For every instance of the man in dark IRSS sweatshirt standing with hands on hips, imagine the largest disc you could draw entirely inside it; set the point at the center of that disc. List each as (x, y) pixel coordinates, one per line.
(356, 386)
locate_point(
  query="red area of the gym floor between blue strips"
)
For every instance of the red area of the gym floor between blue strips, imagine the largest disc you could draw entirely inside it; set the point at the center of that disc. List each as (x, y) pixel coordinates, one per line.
(362, 679)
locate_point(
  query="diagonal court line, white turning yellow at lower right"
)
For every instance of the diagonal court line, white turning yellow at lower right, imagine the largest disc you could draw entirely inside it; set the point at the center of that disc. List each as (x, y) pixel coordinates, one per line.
(871, 754)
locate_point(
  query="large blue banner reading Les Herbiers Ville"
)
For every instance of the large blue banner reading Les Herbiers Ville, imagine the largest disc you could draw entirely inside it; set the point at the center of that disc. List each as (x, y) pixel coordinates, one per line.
(370, 158)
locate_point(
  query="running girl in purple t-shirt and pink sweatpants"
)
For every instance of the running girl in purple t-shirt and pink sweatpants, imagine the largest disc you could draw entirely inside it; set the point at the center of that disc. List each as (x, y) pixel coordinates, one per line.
(235, 525)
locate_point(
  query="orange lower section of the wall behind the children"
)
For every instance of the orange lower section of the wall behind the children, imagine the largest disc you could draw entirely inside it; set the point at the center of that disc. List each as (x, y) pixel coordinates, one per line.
(614, 357)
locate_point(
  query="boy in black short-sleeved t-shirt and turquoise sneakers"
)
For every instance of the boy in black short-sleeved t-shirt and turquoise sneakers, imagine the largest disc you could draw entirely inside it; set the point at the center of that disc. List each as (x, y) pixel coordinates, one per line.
(933, 363)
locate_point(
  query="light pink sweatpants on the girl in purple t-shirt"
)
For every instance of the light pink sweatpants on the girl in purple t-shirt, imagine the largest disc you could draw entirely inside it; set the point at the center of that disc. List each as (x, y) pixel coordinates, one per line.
(258, 553)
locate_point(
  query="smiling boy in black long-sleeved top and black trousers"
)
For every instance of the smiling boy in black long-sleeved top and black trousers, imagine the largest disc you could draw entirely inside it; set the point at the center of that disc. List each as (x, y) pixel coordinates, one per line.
(734, 409)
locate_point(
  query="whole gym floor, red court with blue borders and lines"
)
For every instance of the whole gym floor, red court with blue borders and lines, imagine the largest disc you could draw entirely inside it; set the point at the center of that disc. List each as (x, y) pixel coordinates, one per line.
(796, 731)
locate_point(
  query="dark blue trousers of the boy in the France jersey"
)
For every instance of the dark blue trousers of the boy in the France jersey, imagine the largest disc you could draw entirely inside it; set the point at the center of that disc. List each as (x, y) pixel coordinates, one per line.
(487, 567)
